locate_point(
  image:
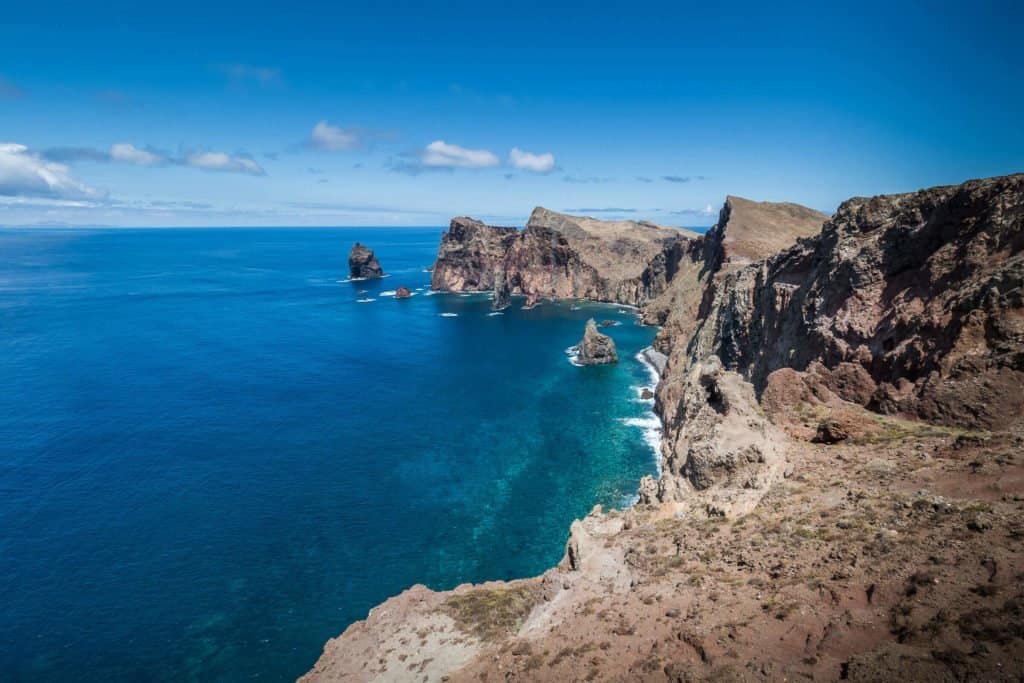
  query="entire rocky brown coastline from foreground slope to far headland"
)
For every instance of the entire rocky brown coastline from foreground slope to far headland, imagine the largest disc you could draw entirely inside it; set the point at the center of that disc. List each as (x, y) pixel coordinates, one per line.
(842, 488)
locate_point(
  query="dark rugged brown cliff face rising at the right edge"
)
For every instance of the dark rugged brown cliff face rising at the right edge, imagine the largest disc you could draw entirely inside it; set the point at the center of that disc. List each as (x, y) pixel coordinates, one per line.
(907, 304)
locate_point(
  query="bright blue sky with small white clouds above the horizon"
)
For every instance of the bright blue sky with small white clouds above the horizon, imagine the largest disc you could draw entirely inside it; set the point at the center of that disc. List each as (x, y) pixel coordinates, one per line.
(403, 114)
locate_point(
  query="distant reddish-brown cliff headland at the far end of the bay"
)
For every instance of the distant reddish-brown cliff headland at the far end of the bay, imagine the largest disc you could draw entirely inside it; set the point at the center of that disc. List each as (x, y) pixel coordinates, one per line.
(561, 257)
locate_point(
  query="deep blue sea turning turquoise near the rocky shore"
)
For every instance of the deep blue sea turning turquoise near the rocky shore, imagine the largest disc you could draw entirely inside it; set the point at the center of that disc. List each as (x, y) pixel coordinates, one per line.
(215, 457)
